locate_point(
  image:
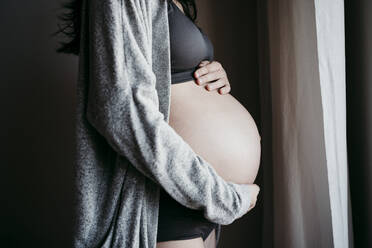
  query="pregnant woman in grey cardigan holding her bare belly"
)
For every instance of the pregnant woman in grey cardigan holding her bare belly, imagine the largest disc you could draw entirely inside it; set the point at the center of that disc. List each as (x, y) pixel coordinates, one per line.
(131, 81)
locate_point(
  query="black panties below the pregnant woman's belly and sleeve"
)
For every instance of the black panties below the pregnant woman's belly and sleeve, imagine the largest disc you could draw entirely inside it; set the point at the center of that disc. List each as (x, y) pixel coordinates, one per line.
(177, 222)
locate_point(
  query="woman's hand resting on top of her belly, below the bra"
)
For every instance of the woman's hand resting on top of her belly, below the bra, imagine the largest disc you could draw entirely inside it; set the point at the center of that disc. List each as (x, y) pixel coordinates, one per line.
(212, 76)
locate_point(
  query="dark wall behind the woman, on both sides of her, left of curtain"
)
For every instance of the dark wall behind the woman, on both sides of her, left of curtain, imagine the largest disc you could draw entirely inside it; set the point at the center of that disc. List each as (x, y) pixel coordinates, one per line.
(37, 100)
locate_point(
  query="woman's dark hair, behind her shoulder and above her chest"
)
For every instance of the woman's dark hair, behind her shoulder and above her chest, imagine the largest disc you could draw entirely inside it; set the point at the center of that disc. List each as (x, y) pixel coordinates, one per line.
(71, 19)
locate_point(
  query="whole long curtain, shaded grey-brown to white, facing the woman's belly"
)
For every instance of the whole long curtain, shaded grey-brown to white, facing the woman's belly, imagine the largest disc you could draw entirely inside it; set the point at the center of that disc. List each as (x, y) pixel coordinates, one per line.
(302, 80)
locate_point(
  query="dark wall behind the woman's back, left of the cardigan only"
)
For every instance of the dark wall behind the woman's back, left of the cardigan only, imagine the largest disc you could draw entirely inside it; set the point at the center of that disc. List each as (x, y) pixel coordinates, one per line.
(37, 99)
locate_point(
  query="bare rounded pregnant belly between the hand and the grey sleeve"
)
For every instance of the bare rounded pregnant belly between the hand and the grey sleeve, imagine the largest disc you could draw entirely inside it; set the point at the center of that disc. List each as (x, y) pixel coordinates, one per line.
(218, 128)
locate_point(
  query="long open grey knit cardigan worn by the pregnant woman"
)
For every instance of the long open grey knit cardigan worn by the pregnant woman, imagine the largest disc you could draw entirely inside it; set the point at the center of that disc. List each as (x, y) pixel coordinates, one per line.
(125, 148)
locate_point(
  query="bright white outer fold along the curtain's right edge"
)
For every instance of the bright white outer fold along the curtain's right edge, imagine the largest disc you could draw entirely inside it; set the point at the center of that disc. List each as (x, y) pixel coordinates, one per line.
(331, 58)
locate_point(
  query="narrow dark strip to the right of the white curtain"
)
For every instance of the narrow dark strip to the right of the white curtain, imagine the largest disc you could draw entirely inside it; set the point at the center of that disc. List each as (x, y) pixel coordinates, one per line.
(358, 22)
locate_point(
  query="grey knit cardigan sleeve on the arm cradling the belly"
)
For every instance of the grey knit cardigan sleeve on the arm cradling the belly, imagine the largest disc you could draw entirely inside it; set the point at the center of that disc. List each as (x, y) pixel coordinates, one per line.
(123, 107)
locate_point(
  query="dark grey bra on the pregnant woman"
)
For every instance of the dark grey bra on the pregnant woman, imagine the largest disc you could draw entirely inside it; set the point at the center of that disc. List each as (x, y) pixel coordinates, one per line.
(188, 45)
